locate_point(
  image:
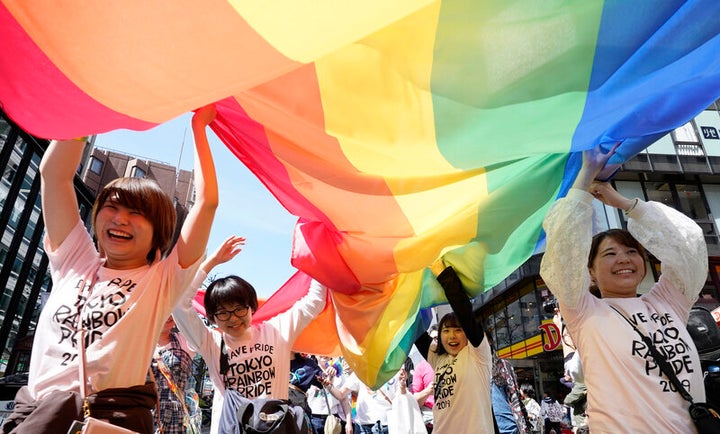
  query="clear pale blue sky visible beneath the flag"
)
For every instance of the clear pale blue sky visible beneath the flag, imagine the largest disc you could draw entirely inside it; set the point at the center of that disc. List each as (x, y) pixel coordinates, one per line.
(246, 207)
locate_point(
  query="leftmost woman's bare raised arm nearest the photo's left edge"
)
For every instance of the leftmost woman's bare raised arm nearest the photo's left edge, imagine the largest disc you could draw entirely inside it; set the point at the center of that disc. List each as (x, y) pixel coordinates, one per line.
(59, 203)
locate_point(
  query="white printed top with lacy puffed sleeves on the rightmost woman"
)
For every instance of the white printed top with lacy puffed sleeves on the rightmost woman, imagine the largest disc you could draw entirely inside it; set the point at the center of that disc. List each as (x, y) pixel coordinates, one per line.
(626, 390)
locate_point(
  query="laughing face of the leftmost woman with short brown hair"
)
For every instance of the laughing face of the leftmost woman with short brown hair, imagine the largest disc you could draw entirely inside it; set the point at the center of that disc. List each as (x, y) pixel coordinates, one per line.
(124, 236)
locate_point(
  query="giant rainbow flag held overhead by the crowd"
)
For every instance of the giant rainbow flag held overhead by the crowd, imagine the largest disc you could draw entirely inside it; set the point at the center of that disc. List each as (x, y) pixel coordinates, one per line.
(399, 132)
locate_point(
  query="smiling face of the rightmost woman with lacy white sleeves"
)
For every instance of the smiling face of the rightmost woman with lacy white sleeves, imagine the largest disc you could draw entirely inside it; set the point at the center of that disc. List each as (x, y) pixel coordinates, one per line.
(617, 269)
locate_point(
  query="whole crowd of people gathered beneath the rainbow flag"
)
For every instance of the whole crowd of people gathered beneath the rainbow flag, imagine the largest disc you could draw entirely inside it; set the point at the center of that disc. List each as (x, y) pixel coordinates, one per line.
(455, 383)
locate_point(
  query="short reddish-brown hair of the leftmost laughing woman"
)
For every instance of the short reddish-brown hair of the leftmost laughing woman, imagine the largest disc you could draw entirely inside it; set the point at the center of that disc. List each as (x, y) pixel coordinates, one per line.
(145, 196)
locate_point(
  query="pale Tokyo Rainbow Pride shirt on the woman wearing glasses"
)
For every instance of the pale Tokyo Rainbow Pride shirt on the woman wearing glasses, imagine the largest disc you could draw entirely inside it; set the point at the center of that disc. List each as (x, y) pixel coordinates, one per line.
(260, 366)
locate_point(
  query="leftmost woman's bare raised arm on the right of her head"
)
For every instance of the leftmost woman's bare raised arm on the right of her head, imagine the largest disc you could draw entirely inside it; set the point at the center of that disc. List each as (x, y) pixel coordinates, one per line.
(196, 229)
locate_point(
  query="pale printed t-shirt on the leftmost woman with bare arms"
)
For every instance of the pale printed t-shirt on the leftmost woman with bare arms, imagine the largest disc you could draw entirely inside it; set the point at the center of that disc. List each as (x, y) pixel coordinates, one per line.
(122, 317)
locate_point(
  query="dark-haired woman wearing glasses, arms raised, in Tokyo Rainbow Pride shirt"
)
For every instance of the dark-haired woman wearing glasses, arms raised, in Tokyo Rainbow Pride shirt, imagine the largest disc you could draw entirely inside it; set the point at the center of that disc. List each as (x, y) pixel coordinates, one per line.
(253, 359)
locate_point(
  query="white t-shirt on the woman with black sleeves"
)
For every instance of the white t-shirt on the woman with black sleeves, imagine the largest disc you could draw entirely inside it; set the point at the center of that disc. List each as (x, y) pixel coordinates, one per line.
(463, 404)
